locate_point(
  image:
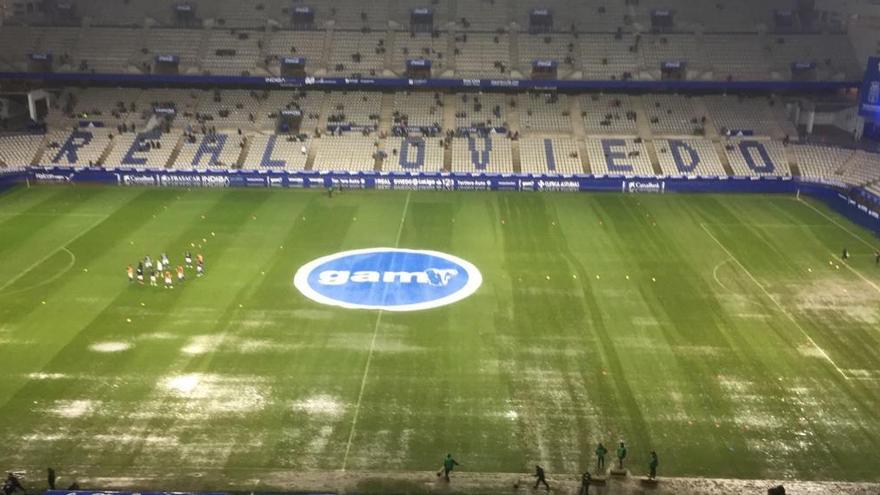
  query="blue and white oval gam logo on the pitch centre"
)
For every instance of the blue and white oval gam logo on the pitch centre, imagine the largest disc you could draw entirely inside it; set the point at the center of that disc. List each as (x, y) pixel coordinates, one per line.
(389, 279)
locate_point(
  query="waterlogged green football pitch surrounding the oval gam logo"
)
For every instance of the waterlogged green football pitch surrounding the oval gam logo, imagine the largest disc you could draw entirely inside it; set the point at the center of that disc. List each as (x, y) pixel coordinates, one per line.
(722, 331)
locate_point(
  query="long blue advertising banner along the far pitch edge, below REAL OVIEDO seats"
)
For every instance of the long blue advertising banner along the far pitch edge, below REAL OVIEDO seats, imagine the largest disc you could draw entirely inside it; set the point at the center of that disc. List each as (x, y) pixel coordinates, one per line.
(846, 206)
